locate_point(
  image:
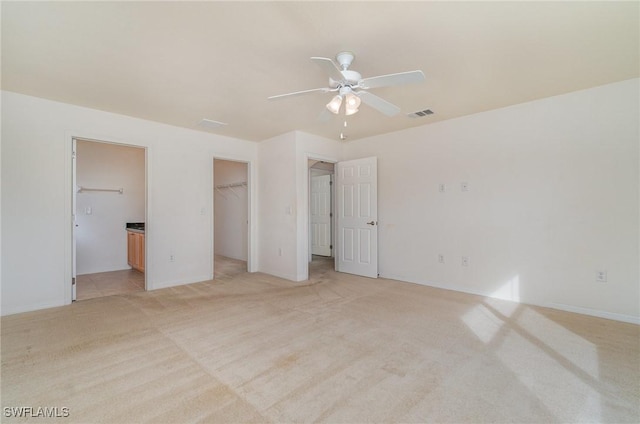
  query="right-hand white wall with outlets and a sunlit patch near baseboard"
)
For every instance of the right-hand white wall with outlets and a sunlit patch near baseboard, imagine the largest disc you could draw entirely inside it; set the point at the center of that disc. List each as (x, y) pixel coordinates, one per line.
(553, 197)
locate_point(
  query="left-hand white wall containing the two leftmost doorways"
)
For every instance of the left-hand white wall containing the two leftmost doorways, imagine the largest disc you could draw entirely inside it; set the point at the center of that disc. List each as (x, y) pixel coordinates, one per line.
(36, 196)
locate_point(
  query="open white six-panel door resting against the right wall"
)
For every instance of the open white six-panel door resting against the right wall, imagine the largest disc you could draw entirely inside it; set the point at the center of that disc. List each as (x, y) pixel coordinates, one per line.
(357, 248)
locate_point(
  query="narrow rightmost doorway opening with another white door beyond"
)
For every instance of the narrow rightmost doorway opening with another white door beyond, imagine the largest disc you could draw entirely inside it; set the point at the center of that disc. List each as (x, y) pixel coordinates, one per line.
(321, 218)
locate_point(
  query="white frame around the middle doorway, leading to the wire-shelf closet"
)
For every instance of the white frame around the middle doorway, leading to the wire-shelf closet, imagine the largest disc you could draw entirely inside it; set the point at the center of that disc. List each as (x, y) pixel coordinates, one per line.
(251, 213)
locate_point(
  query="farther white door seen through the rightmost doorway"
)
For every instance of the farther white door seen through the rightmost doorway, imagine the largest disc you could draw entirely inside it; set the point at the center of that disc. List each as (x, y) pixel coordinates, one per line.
(321, 215)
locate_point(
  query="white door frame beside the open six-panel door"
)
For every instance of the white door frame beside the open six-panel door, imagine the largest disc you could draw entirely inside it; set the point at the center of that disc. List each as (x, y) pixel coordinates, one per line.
(304, 216)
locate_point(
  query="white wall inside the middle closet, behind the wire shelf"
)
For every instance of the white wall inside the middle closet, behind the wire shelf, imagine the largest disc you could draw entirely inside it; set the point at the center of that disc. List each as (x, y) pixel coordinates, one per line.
(230, 210)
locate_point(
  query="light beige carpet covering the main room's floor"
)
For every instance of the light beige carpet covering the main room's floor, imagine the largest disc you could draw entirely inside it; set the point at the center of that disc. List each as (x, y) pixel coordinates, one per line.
(338, 348)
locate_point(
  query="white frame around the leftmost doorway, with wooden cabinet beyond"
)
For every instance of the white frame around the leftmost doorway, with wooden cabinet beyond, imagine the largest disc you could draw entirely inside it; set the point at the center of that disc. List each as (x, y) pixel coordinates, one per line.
(70, 176)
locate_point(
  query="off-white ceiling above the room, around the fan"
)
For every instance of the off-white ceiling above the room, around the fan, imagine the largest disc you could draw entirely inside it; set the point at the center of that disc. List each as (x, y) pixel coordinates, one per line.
(179, 62)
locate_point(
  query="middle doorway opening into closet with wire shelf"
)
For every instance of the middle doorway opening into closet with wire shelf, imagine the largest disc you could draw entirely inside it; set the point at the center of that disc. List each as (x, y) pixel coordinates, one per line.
(230, 217)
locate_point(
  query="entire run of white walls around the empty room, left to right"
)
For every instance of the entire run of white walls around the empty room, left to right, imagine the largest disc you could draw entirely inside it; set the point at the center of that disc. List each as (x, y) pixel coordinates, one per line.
(554, 191)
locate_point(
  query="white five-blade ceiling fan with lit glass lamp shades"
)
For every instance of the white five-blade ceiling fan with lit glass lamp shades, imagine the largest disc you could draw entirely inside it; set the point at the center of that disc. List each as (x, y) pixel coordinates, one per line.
(352, 88)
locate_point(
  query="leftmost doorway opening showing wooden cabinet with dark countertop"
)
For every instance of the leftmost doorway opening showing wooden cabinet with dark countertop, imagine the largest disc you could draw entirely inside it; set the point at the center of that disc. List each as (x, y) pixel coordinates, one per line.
(109, 209)
